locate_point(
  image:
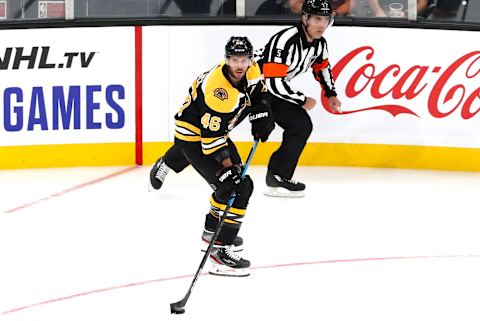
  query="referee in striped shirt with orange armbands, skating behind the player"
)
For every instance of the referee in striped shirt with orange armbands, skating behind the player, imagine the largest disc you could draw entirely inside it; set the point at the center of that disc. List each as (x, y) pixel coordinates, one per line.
(287, 54)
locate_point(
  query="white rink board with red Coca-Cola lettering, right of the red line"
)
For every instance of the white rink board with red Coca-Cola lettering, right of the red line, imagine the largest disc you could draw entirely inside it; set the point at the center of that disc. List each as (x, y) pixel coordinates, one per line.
(397, 86)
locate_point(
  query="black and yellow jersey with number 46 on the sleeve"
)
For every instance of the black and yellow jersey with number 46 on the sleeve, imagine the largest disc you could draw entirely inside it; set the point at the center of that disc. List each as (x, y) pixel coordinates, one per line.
(214, 106)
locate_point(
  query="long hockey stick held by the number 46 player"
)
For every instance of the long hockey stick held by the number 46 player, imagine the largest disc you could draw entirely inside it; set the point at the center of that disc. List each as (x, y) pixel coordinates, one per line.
(179, 307)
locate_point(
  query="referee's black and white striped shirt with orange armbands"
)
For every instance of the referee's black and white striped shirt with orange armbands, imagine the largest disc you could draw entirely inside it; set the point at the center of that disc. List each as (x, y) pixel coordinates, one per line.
(287, 55)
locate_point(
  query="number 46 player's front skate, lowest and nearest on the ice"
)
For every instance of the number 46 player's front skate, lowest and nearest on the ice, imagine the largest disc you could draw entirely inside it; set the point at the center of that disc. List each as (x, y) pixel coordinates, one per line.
(228, 263)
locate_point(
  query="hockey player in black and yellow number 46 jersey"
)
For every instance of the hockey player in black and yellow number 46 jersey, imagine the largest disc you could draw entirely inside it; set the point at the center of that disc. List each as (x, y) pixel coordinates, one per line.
(217, 101)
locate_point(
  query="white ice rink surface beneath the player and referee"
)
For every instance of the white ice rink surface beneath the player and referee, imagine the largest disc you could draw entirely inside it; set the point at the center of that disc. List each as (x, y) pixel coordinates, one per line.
(364, 244)
